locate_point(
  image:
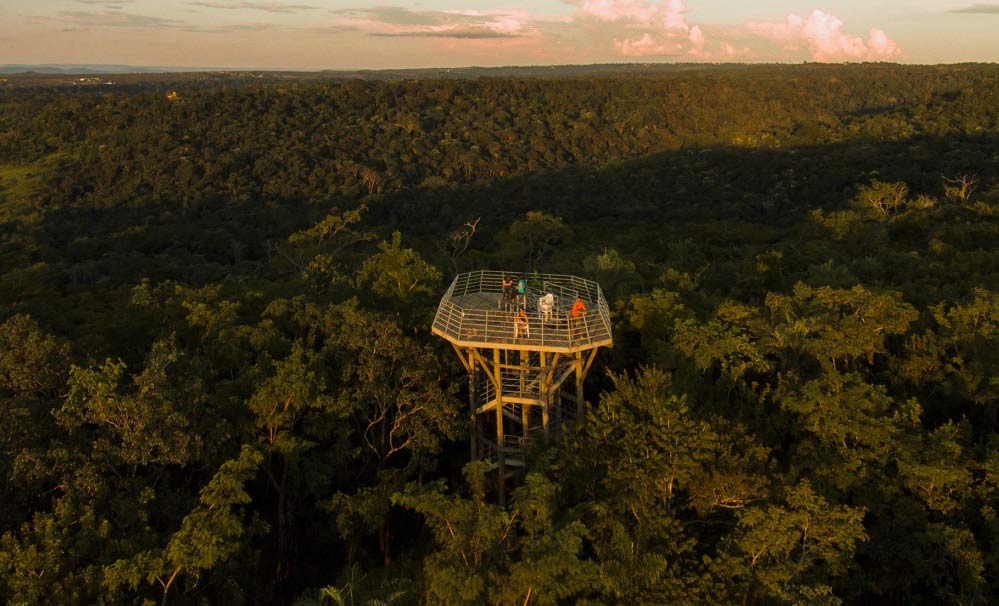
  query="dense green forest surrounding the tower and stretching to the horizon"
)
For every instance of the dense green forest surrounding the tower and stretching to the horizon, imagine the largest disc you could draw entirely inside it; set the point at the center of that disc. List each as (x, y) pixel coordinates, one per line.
(218, 385)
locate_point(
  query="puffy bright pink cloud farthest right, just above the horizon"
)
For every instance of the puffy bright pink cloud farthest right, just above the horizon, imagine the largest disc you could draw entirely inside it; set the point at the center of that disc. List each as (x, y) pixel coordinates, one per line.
(822, 36)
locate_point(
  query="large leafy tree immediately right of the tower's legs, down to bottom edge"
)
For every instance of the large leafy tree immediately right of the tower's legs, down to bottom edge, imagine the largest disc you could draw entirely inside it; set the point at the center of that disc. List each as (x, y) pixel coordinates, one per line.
(648, 511)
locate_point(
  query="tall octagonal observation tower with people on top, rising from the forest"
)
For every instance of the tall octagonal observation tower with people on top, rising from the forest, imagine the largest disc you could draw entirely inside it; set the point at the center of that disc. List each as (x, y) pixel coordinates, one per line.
(526, 356)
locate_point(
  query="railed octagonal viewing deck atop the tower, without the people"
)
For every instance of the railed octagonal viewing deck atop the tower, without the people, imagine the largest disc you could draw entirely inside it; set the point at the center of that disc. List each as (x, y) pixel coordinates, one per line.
(473, 314)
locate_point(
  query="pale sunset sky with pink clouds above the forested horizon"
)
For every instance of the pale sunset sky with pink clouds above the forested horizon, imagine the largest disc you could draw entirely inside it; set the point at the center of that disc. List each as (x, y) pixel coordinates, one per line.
(365, 34)
